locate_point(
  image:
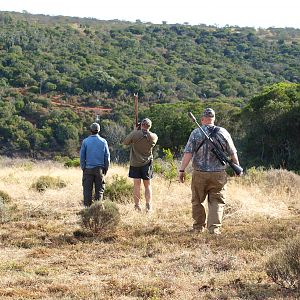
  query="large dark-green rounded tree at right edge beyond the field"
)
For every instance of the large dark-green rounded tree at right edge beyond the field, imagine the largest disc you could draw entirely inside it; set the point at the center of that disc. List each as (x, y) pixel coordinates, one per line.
(272, 126)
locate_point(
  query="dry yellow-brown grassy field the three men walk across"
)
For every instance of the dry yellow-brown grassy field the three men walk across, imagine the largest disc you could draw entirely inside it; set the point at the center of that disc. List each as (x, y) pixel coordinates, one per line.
(150, 256)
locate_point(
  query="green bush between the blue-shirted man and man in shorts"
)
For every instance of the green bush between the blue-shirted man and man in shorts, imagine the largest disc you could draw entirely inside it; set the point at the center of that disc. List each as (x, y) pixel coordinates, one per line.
(119, 190)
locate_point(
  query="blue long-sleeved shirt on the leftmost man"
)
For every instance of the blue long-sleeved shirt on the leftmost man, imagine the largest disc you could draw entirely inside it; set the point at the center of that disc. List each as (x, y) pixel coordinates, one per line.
(94, 152)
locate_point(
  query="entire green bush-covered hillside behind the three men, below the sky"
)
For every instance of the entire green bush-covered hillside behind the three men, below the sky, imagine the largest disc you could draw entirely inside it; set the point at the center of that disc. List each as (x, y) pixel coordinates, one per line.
(57, 74)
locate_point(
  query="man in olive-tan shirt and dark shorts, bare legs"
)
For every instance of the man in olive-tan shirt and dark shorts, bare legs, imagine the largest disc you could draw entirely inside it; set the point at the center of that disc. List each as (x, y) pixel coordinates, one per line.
(141, 161)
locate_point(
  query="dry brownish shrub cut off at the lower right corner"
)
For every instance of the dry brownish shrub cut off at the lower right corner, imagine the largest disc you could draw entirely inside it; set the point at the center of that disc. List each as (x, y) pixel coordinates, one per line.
(284, 266)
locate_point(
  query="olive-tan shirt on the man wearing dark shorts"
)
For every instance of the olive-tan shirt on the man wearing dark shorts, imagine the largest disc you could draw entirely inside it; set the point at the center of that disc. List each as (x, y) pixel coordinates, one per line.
(142, 142)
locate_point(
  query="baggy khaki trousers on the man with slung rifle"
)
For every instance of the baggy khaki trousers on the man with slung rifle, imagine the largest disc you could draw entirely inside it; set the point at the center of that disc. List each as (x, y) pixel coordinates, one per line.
(212, 185)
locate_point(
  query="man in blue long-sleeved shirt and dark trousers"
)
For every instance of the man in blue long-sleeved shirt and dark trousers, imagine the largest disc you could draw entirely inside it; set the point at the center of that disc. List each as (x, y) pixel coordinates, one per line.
(94, 162)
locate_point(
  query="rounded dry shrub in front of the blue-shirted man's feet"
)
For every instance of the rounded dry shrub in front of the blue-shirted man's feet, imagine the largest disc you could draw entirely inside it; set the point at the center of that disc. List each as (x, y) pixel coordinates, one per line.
(100, 216)
